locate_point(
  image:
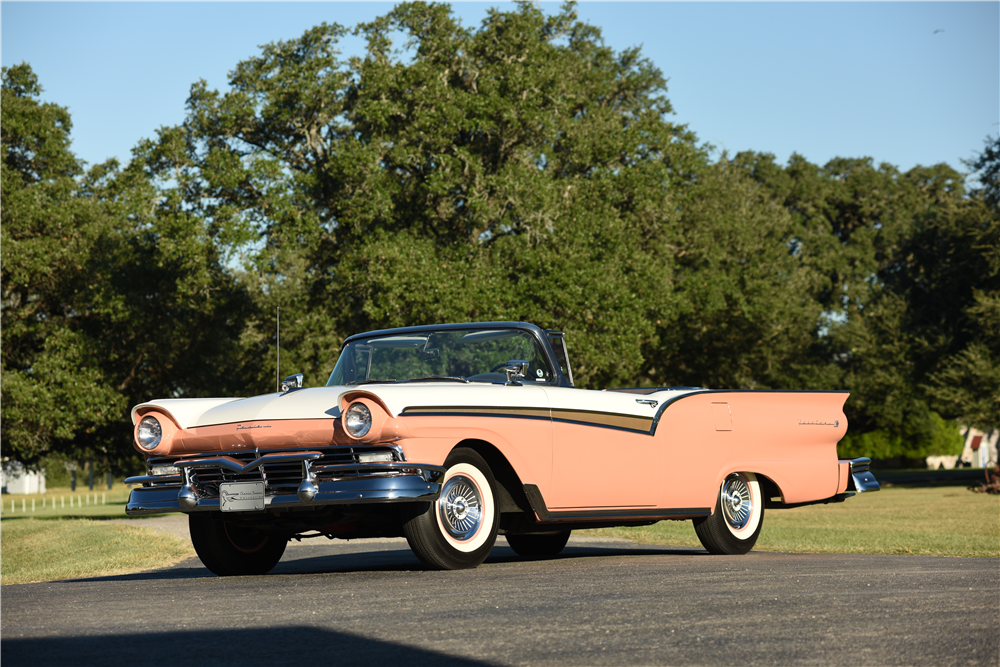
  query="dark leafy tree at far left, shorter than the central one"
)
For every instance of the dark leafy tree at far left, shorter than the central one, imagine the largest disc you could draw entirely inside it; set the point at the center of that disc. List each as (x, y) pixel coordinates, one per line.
(111, 294)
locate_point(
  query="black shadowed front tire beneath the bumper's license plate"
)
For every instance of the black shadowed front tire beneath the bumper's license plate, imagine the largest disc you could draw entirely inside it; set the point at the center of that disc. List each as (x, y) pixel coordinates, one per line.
(228, 549)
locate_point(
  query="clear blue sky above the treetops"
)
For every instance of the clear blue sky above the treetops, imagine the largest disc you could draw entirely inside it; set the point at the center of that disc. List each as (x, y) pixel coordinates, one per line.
(850, 79)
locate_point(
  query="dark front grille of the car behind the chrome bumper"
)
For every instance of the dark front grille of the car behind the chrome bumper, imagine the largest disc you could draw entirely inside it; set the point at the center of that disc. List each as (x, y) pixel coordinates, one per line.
(282, 476)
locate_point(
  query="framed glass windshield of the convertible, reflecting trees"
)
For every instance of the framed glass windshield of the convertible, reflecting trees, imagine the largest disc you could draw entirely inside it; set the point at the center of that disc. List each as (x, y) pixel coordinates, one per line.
(458, 356)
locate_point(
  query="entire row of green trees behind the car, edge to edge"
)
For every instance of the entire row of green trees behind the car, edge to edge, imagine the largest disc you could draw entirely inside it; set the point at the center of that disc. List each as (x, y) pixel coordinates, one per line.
(519, 170)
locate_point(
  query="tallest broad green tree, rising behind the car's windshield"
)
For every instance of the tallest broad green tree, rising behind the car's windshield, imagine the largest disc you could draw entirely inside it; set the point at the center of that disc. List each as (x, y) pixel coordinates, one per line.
(519, 171)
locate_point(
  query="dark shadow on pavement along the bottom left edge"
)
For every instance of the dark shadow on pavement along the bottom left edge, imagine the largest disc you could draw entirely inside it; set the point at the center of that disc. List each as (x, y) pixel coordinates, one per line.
(244, 646)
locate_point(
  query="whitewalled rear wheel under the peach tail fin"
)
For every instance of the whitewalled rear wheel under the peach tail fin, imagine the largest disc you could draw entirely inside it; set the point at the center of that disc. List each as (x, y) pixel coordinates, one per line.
(738, 517)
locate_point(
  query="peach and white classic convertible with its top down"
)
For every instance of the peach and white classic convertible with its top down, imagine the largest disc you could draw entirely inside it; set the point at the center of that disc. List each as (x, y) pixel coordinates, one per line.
(452, 434)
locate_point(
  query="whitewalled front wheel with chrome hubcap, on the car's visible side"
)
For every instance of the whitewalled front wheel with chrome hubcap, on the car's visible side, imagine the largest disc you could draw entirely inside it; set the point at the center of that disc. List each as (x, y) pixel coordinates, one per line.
(458, 530)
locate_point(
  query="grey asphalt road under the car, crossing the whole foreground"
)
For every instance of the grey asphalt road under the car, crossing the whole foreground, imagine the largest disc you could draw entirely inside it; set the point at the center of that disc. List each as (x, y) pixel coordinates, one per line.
(599, 603)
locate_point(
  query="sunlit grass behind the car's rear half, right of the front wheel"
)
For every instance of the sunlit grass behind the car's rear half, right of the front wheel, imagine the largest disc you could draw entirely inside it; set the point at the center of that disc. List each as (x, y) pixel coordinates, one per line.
(924, 520)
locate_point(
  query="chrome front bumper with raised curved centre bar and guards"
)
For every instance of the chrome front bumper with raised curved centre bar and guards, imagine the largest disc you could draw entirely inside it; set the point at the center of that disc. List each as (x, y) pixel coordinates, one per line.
(412, 482)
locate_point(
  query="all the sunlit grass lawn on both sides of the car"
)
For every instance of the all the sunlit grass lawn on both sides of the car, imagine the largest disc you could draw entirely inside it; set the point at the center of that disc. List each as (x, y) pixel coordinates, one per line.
(924, 520)
